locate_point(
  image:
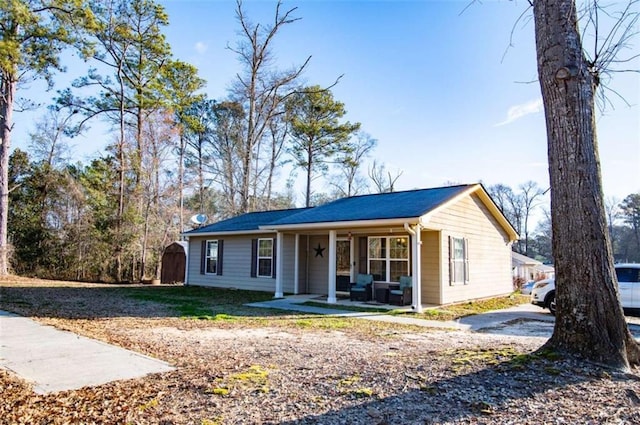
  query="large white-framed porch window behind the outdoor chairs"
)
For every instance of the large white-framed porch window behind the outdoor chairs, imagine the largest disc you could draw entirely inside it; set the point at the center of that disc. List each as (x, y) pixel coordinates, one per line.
(388, 258)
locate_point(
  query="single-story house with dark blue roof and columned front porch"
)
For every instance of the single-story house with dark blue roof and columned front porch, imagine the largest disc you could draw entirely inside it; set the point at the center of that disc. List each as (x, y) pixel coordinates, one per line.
(453, 241)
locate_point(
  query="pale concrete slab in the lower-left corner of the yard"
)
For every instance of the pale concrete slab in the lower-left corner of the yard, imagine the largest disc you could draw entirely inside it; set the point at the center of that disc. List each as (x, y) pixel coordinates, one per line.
(55, 360)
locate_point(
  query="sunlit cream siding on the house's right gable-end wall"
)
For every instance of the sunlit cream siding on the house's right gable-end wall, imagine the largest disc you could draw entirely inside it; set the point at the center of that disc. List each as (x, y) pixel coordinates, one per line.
(489, 251)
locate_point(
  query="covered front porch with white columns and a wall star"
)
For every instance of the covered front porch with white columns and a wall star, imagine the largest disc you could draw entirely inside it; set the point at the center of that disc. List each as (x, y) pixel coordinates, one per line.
(324, 263)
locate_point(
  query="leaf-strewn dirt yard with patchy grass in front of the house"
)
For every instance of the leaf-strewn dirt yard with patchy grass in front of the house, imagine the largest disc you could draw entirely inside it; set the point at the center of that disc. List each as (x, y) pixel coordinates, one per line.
(237, 365)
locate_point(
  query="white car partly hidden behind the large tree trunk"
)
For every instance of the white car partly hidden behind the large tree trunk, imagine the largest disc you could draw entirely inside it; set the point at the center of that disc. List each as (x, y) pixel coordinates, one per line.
(543, 293)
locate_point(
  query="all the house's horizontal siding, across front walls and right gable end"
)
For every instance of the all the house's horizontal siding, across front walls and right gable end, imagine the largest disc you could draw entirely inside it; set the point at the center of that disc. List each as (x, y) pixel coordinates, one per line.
(489, 257)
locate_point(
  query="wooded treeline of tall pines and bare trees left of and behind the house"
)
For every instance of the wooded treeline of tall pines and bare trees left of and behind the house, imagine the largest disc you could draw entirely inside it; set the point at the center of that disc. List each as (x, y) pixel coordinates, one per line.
(172, 151)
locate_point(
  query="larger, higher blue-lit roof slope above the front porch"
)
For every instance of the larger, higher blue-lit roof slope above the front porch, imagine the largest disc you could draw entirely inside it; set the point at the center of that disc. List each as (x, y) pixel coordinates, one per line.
(407, 204)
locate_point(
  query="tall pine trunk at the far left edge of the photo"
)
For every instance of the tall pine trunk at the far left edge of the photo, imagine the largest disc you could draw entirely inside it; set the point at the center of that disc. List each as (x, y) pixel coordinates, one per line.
(8, 93)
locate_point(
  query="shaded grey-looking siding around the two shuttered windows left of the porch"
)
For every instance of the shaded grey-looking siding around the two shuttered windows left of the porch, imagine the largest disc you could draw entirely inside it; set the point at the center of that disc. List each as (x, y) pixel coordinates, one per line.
(236, 264)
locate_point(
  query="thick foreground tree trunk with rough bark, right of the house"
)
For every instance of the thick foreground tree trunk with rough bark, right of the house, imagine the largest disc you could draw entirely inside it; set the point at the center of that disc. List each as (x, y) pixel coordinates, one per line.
(589, 318)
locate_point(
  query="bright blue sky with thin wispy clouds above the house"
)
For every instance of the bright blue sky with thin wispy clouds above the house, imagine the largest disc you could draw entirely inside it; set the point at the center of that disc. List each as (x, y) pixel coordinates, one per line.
(441, 90)
